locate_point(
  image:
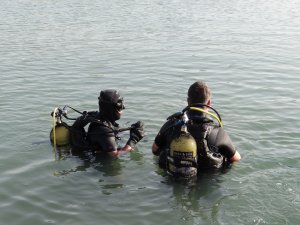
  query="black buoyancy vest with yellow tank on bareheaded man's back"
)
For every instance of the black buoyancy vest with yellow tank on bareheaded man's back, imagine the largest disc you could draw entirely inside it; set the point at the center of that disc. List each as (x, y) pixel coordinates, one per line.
(189, 150)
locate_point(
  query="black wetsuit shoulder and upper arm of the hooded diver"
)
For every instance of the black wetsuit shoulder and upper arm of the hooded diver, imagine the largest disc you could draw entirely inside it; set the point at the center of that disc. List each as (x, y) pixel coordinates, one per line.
(102, 136)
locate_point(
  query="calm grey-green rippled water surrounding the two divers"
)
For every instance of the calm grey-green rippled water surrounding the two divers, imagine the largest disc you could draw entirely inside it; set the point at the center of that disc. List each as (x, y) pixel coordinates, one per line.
(57, 53)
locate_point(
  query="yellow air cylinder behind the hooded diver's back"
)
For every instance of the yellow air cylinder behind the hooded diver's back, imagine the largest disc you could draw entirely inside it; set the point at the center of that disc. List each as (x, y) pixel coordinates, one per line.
(62, 135)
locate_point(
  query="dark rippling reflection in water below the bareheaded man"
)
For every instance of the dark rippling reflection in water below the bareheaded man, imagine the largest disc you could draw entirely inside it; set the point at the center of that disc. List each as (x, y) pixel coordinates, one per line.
(199, 198)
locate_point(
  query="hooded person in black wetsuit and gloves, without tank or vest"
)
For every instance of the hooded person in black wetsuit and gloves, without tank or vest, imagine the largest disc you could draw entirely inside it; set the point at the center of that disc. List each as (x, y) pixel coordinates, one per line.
(102, 132)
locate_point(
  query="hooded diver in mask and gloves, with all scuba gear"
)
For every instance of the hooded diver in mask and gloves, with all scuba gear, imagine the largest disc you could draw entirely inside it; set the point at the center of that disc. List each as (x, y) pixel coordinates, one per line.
(102, 135)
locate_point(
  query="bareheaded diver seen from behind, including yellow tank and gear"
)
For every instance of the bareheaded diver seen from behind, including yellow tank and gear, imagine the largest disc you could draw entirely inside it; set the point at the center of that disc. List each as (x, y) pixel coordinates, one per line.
(191, 141)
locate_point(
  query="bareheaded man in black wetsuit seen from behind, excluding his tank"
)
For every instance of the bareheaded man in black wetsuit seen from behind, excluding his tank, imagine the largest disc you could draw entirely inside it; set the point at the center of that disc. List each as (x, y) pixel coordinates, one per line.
(214, 146)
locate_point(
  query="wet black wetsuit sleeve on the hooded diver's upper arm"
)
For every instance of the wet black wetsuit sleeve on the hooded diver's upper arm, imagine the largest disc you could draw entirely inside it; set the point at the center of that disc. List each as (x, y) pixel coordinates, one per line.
(102, 138)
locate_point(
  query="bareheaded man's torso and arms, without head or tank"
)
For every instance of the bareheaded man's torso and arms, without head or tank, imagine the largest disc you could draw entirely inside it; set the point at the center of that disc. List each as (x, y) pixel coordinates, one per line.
(206, 134)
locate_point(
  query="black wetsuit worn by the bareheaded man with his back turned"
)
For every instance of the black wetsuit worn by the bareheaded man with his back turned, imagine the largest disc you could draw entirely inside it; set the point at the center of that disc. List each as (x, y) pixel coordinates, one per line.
(218, 140)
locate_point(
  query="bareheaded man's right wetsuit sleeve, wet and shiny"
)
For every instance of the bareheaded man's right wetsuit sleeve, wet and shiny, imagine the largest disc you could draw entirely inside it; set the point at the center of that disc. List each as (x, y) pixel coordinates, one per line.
(220, 139)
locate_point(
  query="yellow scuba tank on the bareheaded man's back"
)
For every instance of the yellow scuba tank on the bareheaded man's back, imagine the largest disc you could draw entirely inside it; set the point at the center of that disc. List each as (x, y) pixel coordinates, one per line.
(182, 158)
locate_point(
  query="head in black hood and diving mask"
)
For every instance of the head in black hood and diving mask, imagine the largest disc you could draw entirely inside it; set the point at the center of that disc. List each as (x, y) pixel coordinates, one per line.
(110, 104)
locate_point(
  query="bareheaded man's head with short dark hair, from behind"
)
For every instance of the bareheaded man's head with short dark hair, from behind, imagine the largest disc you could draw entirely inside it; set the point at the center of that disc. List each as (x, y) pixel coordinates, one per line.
(198, 92)
